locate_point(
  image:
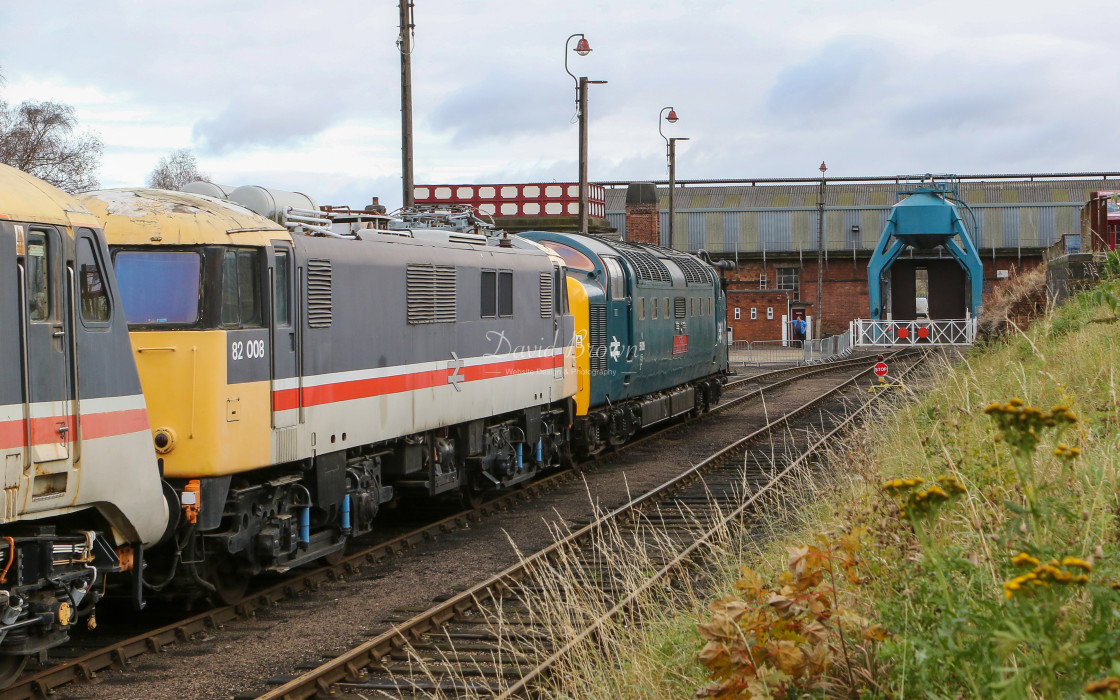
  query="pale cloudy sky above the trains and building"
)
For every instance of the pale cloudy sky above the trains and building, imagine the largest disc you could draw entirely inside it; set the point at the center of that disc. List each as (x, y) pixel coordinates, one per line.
(306, 96)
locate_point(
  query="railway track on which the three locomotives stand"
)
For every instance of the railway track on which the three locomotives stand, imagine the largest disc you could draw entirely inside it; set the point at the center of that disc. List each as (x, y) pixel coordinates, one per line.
(120, 652)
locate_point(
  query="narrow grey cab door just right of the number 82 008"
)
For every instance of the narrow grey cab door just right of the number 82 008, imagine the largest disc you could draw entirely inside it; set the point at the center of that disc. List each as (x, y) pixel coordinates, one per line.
(285, 378)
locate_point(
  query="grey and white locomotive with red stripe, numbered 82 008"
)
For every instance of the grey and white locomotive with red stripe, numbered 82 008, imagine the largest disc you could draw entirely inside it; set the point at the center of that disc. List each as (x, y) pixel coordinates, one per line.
(300, 378)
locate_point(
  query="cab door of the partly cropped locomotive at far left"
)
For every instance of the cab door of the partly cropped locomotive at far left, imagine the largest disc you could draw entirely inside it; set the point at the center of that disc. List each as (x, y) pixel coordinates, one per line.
(48, 331)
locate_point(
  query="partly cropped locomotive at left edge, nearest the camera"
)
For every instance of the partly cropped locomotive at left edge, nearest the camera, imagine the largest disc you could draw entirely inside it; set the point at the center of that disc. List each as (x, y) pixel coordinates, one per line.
(82, 494)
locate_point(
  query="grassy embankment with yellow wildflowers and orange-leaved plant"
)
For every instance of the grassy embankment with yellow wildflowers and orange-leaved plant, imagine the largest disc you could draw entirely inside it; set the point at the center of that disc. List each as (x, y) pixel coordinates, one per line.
(998, 580)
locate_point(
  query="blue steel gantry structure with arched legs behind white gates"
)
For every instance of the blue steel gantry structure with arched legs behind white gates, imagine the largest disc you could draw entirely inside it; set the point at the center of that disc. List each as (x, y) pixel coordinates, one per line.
(925, 218)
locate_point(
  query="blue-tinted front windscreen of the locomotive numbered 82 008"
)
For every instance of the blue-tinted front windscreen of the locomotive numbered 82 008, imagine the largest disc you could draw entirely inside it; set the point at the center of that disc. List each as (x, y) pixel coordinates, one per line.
(160, 287)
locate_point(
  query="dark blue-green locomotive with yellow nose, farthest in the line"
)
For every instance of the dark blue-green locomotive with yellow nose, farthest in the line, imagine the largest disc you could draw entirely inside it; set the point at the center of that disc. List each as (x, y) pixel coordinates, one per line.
(650, 325)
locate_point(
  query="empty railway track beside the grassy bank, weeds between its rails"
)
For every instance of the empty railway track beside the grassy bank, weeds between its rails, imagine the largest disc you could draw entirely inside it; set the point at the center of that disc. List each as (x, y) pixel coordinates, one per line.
(488, 640)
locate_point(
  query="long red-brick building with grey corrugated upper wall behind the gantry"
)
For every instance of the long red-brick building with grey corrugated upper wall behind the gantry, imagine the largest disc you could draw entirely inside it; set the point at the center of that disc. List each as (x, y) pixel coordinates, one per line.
(771, 230)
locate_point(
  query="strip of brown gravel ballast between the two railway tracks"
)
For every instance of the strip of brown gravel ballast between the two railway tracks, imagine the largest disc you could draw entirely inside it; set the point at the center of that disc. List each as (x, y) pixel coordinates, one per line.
(240, 660)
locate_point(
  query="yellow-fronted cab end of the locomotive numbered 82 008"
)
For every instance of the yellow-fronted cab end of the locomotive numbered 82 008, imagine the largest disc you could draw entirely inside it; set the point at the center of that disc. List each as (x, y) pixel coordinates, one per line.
(194, 276)
